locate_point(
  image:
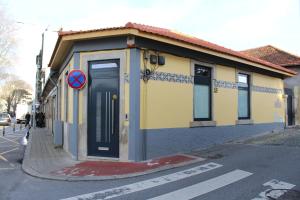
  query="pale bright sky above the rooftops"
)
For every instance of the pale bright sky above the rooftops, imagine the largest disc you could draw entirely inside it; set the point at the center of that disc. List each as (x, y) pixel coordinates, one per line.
(235, 24)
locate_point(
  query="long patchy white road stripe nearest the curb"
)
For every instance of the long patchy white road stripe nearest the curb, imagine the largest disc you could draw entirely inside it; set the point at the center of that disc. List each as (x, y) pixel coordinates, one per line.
(143, 185)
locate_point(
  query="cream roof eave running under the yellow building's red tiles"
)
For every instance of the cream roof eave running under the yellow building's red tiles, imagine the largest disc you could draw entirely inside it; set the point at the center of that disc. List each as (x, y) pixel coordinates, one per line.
(65, 41)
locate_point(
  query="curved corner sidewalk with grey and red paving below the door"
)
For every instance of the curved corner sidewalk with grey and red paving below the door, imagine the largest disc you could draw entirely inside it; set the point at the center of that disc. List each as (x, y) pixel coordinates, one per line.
(43, 160)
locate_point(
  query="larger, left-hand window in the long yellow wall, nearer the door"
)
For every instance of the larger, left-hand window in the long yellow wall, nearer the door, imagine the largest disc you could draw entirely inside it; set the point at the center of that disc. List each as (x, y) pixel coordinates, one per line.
(202, 93)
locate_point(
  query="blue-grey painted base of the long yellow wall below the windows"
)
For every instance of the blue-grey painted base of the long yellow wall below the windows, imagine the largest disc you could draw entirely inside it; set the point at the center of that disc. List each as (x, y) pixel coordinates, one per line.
(160, 142)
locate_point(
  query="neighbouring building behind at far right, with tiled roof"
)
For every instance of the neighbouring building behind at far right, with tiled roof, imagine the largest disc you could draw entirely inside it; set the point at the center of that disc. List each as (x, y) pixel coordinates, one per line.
(291, 84)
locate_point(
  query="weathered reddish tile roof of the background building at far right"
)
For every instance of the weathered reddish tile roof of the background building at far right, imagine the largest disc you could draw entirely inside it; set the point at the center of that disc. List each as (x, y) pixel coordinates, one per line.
(274, 55)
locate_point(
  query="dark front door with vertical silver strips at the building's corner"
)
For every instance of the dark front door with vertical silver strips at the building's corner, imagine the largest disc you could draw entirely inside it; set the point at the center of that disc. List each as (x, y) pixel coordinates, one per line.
(103, 108)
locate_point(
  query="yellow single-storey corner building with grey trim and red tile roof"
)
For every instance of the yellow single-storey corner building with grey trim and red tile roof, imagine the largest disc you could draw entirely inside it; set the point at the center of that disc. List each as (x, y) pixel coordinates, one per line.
(152, 92)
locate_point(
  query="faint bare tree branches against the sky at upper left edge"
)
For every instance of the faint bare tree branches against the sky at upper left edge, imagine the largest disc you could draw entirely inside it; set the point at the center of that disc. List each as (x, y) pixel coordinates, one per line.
(7, 40)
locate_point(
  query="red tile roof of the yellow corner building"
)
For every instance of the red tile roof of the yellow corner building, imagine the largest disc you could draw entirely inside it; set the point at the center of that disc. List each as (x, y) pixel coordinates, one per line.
(186, 39)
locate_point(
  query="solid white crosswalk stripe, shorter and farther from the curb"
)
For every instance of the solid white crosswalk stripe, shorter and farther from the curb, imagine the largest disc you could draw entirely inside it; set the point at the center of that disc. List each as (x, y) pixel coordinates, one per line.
(205, 186)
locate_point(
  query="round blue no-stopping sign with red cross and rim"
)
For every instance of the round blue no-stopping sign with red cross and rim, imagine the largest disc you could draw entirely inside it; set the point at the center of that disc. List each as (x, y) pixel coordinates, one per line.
(76, 79)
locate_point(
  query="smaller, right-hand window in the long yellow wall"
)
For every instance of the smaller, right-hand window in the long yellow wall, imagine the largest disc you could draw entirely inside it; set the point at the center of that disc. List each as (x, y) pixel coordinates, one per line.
(243, 96)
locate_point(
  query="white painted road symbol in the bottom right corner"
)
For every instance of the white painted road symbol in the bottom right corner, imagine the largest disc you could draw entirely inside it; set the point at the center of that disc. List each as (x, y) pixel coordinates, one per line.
(277, 189)
